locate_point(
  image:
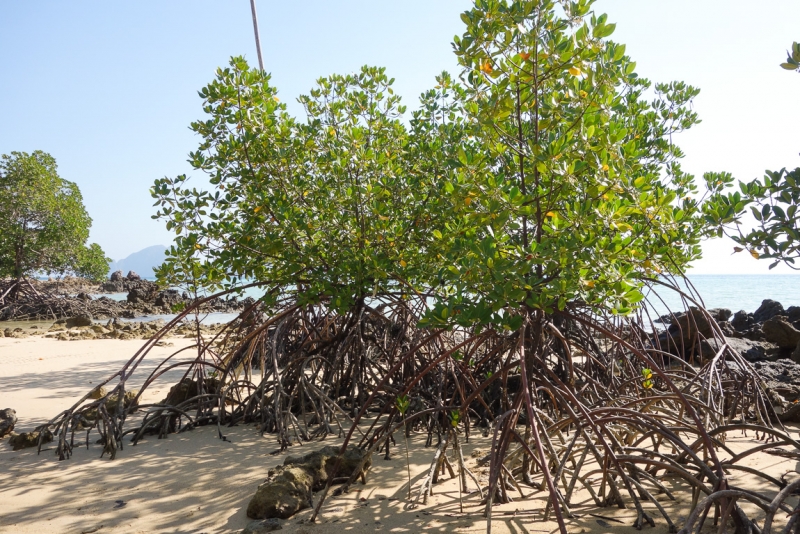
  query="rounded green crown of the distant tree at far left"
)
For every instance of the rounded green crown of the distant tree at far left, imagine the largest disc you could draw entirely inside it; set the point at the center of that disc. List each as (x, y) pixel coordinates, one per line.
(43, 223)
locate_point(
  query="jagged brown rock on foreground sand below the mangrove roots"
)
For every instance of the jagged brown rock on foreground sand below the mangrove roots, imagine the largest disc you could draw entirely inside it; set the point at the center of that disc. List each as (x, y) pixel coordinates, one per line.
(289, 488)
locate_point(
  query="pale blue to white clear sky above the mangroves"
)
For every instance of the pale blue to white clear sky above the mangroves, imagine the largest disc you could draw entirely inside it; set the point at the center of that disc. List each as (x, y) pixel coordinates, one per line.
(110, 88)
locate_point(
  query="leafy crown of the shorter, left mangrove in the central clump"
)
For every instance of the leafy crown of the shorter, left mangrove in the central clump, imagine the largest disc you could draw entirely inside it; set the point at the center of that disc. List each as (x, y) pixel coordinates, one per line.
(326, 204)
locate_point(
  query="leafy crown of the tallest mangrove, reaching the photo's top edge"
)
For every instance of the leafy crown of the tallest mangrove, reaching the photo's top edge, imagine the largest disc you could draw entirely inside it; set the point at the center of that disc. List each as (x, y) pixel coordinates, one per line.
(570, 189)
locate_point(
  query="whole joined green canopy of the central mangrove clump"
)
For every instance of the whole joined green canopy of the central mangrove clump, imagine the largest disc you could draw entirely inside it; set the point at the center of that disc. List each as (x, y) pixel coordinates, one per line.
(542, 177)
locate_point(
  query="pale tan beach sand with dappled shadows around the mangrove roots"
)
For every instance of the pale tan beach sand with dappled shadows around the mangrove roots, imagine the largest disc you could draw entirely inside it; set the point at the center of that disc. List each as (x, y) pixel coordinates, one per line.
(195, 482)
